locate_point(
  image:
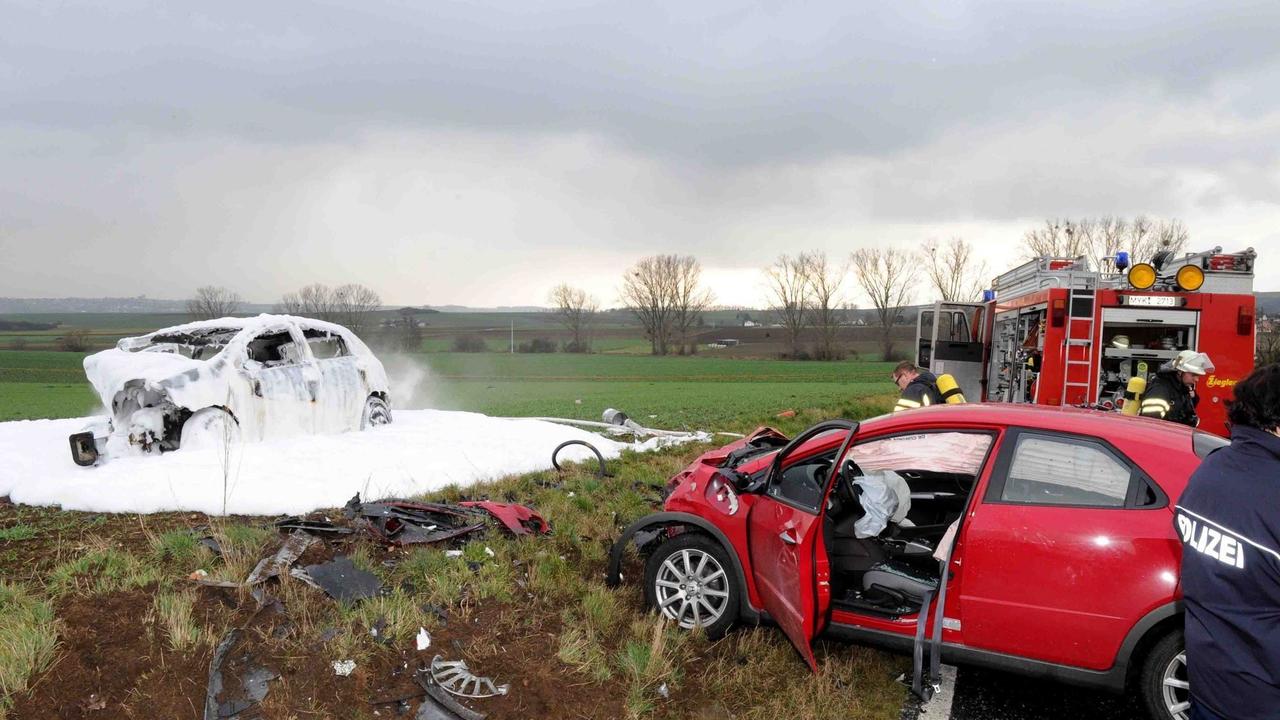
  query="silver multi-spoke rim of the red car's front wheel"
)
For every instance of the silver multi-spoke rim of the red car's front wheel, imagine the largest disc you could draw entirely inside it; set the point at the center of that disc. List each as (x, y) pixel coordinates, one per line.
(692, 589)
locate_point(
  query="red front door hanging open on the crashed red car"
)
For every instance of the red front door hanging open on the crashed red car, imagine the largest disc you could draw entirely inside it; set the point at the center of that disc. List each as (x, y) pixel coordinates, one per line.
(789, 557)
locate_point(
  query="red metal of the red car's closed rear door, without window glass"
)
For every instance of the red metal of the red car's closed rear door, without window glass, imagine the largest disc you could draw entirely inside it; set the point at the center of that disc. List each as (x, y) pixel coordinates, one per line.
(1060, 584)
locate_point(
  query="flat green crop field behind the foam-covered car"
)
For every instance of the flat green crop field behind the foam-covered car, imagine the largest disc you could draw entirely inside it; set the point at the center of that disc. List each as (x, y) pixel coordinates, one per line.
(670, 393)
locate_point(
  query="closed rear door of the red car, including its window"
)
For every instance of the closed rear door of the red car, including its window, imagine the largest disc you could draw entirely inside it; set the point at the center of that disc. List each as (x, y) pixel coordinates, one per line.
(1069, 544)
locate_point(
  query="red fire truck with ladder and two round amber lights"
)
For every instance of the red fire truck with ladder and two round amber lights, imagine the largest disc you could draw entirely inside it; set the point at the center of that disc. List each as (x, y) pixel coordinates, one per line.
(1058, 332)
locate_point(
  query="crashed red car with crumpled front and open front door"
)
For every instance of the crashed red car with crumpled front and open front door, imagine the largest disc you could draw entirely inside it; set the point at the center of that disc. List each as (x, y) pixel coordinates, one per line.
(1062, 555)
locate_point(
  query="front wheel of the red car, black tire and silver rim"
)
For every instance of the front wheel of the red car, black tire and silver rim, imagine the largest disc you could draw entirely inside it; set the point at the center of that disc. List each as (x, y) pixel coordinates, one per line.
(691, 580)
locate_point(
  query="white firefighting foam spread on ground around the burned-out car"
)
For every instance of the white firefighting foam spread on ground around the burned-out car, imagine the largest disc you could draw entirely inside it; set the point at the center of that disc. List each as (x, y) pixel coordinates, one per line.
(423, 450)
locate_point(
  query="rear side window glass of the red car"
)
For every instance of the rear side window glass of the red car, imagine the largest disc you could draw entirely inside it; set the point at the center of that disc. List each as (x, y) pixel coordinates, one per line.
(1066, 472)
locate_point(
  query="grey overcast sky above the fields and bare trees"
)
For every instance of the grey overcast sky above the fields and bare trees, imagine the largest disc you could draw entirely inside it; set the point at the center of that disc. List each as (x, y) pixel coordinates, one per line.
(478, 154)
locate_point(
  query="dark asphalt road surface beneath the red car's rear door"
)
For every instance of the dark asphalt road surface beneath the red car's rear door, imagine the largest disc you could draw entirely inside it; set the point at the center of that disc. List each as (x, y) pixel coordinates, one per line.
(986, 695)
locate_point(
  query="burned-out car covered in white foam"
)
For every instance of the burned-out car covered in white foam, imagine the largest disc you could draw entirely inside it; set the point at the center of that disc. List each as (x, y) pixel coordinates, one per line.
(230, 380)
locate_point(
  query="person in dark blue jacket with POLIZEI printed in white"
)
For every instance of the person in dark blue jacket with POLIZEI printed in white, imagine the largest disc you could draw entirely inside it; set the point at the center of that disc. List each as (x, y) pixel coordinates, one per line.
(1229, 523)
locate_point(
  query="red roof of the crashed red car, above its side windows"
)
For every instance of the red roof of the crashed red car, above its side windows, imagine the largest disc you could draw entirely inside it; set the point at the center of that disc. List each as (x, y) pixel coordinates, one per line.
(1114, 427)
